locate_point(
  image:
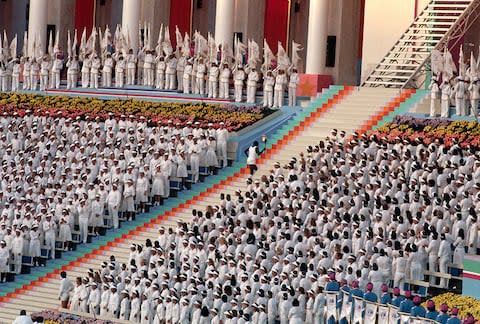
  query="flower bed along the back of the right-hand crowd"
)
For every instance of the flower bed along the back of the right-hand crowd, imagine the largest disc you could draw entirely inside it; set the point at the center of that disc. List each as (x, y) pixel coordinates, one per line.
(448, 132)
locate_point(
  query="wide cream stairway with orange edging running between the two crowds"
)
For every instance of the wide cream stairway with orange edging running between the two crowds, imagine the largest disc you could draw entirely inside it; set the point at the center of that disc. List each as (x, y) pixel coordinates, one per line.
(349, 110)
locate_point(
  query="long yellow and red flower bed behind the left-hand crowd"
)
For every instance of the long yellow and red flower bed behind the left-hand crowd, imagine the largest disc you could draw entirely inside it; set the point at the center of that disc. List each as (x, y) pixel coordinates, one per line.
(158, 113)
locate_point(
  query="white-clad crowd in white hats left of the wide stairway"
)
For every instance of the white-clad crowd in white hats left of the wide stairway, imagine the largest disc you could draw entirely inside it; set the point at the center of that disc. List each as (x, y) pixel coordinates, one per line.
(57, 173)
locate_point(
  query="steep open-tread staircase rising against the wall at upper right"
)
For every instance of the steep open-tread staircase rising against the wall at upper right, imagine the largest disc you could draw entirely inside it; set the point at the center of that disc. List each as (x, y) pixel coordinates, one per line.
(442, 23)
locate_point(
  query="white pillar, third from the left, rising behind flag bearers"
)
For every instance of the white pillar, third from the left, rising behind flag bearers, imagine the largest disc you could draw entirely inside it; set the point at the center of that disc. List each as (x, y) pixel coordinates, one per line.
(224, 22)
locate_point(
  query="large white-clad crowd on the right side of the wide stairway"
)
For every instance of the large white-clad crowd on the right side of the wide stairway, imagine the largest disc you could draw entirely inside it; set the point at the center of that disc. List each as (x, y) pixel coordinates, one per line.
(363, 208)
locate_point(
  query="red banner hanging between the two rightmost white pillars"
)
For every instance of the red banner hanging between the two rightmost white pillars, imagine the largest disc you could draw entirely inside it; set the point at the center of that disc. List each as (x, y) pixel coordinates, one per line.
(276, 23)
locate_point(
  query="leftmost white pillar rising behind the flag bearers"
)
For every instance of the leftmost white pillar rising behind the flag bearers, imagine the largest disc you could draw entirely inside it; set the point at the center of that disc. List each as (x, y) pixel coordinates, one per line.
(37, 24)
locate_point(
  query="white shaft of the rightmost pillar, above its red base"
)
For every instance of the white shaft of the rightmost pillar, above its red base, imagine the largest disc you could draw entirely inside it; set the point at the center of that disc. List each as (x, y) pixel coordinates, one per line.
(317, 36)
